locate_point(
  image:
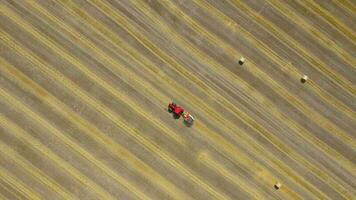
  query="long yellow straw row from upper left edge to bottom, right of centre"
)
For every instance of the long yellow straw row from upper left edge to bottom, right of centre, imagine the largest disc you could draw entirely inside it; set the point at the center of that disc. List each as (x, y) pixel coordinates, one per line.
(149, 145)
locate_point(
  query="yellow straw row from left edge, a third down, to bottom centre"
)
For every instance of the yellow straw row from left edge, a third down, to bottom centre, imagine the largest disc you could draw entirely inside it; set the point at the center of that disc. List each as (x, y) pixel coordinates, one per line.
(114, 148)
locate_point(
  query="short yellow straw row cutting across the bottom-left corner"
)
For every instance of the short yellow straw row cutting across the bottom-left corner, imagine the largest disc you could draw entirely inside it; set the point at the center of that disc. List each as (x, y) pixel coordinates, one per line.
(17, 184)
